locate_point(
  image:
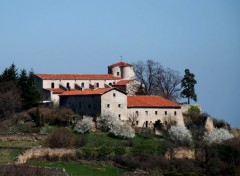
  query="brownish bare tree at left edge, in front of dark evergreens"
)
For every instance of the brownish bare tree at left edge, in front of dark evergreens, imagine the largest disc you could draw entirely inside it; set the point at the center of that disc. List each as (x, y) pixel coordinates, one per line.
(10, 98)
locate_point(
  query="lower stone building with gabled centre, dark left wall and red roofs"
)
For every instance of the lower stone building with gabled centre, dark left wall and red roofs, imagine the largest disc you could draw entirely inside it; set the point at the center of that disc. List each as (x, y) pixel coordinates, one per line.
(143, 110)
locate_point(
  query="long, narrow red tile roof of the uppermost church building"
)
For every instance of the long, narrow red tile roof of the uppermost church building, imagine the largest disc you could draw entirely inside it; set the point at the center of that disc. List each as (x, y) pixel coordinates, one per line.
(77, 77)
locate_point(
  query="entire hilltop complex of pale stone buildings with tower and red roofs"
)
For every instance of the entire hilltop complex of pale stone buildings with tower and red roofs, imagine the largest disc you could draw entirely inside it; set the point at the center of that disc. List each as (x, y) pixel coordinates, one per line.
(94, 94)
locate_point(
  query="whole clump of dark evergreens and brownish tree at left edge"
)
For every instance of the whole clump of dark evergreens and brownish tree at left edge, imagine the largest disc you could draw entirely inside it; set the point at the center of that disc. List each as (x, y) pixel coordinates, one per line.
(18, 90)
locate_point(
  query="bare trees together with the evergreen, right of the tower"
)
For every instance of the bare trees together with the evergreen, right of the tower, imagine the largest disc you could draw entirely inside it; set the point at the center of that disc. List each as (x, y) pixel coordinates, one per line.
(154, 79)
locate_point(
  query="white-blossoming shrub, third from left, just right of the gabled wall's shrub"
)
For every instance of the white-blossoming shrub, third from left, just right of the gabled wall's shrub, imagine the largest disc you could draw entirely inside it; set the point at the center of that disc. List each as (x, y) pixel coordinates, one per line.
(122, 130)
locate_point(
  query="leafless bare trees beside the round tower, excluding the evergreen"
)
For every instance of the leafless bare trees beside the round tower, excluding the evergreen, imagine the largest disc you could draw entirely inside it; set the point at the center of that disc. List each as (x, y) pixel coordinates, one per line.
(156, 80)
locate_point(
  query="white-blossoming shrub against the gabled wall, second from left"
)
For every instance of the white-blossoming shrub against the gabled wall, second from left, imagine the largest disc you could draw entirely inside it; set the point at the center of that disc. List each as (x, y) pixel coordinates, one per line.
(106, 121)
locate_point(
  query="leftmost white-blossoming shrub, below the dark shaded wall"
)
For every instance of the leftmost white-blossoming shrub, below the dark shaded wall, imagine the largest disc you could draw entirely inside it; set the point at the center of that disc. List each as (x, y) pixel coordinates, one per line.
(85, 125)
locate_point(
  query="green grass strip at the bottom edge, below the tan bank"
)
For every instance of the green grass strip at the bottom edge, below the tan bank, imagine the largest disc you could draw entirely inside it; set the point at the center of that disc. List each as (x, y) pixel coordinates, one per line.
(77, 168)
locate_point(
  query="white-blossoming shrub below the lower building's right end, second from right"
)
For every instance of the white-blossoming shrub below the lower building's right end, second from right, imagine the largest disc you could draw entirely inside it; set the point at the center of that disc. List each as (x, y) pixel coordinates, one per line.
(180, 134)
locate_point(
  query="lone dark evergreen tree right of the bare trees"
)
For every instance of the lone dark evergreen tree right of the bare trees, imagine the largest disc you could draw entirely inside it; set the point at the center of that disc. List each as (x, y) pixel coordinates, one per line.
(188, 83)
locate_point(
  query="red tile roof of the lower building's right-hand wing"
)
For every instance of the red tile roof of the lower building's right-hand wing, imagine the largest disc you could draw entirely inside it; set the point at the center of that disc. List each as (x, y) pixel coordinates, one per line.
(150, 101)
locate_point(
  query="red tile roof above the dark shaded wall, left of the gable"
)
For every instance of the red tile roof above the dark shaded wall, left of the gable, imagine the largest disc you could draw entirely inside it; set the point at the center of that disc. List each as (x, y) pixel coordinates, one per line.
(99, 91)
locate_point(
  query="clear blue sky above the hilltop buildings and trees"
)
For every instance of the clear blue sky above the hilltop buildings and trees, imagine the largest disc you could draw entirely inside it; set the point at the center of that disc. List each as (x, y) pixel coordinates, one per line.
(76, 36)
